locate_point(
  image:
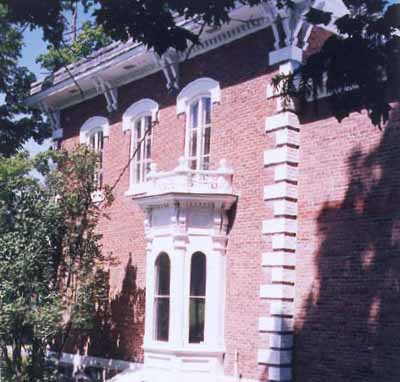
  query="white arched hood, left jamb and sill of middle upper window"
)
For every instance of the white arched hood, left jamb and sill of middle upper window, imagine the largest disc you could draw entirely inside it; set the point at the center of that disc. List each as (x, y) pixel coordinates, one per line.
(142, 108)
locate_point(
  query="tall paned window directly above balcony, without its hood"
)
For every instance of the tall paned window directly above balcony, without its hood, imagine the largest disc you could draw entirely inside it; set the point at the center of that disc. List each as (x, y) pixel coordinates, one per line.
(199, 134)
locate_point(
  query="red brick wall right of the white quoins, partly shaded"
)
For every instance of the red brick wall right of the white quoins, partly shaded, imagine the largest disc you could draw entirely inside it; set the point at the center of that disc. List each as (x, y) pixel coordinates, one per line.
(348, 265)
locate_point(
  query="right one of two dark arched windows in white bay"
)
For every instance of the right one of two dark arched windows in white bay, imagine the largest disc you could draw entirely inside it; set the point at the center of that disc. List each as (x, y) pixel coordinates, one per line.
(197, 298)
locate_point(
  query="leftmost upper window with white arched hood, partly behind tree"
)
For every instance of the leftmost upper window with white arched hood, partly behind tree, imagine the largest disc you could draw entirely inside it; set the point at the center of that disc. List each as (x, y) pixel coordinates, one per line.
(92, 133)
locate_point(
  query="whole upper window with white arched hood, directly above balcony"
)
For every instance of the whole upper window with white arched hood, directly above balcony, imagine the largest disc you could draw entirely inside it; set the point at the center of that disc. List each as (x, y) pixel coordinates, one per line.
(196, 101)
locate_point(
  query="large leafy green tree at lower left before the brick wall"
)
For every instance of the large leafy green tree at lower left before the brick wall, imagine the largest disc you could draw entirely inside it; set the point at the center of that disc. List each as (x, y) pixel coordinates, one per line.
(50, 255)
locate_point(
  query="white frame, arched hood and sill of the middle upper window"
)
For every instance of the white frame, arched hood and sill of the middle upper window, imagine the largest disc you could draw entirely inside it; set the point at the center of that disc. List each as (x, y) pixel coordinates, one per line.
(139, 110)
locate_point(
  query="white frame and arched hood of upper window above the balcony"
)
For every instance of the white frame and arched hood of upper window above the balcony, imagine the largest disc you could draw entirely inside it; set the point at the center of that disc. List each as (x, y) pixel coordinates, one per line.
(202, 87)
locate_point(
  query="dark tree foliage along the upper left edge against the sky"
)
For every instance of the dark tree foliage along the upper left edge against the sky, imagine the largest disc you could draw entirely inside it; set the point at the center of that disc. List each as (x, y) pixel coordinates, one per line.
(18, 122)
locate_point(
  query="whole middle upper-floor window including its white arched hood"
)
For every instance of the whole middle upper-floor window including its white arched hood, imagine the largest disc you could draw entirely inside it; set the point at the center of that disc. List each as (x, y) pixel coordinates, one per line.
(139, 119)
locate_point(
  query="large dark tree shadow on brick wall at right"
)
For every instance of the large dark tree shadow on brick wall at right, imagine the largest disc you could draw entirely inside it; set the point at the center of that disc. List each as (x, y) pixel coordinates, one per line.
(351, 328)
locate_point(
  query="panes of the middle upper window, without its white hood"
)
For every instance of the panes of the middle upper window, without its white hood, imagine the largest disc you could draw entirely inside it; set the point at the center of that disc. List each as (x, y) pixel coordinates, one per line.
(141, 142)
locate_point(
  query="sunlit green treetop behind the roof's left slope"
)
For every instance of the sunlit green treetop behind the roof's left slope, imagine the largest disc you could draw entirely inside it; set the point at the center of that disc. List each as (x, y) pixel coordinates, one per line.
(89, 40)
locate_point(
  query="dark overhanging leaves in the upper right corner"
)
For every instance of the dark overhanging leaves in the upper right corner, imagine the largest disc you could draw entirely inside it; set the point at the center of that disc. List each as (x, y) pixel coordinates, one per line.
(366, 76)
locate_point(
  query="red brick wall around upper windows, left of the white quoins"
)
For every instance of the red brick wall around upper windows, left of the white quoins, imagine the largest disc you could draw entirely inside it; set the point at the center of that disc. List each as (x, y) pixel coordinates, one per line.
(238, 136)
